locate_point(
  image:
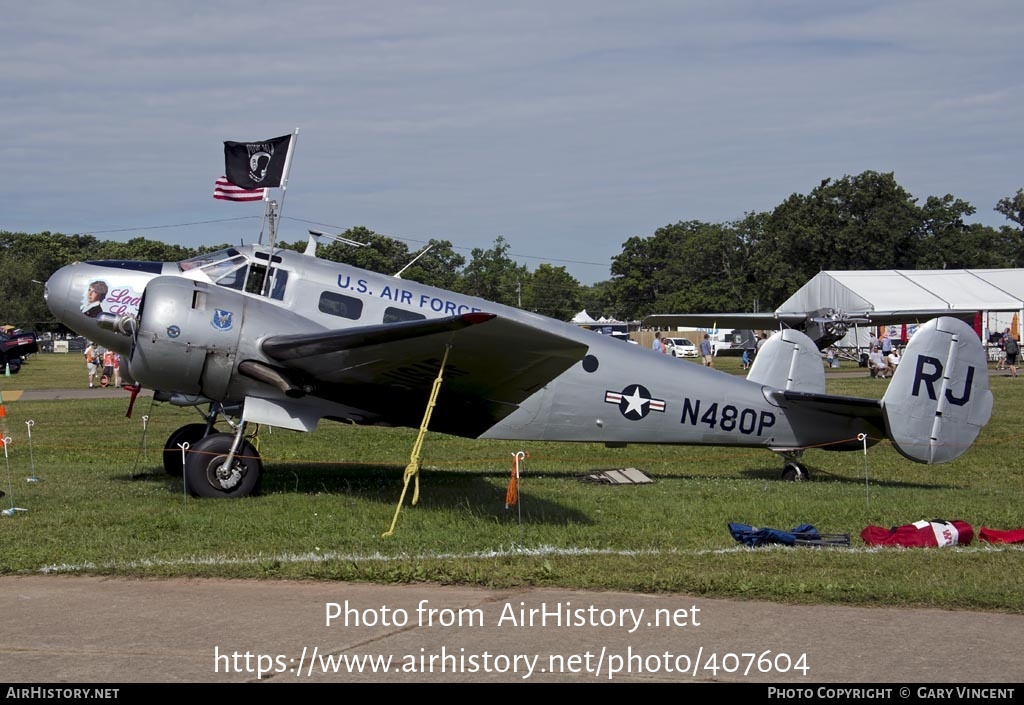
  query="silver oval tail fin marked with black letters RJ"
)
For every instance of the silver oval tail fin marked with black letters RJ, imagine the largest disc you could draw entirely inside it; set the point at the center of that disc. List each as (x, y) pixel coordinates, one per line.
(938, 401)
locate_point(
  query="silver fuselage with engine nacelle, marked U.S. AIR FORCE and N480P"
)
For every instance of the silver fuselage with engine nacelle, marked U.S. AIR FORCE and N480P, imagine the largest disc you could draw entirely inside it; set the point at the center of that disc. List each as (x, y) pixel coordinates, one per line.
(615, 393)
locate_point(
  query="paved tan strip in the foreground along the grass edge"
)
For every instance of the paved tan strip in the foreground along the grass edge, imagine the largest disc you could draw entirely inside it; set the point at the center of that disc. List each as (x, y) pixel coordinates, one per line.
(103, 631)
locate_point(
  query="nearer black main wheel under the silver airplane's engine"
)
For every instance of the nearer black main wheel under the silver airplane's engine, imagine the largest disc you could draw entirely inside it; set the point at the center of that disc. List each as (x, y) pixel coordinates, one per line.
(208, 476)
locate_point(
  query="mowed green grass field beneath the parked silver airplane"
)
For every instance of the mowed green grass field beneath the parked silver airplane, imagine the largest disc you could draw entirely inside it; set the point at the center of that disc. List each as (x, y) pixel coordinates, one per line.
(102, 504)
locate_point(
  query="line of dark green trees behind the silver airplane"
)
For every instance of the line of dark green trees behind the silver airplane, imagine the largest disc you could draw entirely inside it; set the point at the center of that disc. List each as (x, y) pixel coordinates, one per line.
(867, 222)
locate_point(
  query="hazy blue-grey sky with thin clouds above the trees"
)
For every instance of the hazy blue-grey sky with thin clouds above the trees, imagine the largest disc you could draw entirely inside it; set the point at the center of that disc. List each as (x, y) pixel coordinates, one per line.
(566, 128)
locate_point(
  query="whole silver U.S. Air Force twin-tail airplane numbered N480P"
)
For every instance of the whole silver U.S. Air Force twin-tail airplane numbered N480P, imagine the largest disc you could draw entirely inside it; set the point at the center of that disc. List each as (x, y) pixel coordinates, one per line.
(257, 336)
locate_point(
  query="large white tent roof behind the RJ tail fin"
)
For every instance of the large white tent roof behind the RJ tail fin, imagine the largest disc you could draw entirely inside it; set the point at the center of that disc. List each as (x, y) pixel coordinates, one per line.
(997, 295)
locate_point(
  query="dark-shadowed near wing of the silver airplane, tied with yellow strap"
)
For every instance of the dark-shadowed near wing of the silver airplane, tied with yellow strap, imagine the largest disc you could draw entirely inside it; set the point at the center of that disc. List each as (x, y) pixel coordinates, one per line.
(388, 371)
